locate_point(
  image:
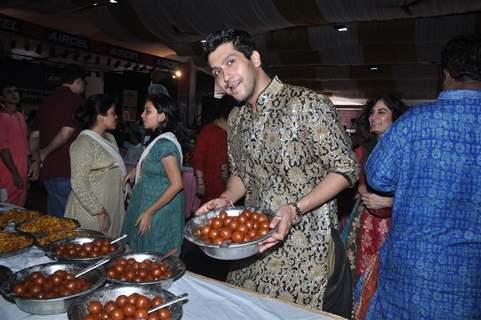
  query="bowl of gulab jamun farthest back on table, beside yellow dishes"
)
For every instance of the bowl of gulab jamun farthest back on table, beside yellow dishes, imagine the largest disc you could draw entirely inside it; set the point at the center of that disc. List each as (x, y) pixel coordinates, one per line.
(84, 249)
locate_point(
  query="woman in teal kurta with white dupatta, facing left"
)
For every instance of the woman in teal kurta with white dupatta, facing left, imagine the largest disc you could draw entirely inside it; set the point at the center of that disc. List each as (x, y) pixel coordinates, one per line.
(155, 216)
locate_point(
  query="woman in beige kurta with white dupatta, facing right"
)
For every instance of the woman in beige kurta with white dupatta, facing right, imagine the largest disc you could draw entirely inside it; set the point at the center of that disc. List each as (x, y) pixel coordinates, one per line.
(97, 199)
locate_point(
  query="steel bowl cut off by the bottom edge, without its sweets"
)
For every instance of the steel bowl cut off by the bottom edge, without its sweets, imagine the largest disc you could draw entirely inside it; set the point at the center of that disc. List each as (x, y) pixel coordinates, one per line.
(78, 310)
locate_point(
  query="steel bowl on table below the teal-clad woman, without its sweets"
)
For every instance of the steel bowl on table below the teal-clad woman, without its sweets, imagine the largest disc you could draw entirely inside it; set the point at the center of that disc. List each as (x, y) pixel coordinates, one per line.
(176, 266)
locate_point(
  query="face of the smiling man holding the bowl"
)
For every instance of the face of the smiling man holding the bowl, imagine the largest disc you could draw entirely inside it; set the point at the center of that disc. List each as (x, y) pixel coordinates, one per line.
(233, 72)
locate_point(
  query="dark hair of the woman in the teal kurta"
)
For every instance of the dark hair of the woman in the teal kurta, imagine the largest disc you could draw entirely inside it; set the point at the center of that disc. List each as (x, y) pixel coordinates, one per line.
(164, 104)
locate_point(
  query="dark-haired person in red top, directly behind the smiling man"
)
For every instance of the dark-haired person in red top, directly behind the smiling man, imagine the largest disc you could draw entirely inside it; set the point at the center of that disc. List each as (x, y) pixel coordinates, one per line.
(210, 154)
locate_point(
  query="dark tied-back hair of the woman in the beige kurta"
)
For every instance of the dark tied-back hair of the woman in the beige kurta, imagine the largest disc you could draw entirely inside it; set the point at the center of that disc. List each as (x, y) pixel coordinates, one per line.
(98, 104)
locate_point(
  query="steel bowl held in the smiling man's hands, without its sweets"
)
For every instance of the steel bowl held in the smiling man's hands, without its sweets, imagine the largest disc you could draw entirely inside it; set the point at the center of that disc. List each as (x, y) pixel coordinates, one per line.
(228, 250)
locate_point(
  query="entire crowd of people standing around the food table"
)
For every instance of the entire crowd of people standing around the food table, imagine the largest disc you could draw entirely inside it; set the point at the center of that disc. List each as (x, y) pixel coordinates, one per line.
(411, 247)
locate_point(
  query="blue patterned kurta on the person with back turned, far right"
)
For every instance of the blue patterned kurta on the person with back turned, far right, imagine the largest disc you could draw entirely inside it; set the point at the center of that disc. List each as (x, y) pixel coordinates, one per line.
(431, 259)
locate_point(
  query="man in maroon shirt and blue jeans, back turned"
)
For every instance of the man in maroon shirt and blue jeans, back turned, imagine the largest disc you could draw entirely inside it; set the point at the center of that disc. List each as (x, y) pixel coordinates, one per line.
(53, 132)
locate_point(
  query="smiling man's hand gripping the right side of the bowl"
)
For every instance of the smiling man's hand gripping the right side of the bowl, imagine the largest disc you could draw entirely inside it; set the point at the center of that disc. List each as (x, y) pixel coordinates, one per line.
(283, 220)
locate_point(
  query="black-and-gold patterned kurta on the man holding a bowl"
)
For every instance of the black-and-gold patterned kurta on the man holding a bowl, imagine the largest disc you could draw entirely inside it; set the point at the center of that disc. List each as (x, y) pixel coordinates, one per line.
(281, 152)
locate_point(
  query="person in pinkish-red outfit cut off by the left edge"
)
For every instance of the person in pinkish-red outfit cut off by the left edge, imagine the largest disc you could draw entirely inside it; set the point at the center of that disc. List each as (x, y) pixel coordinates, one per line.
(13, 146)
